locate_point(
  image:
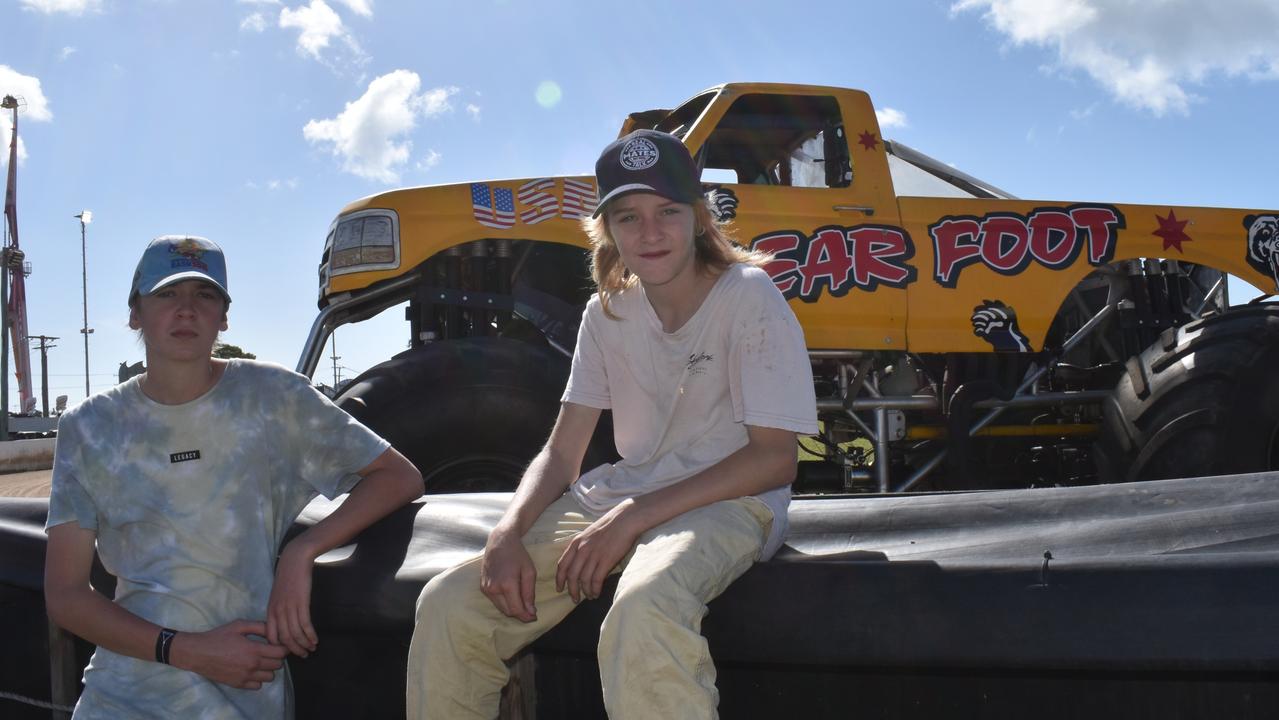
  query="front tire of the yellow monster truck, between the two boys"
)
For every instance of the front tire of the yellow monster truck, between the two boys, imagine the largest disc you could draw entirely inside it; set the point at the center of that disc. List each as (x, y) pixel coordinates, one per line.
(470, 414)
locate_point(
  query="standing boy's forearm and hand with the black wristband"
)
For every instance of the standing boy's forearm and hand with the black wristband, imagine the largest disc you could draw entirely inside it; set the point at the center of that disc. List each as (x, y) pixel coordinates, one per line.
(226, 654)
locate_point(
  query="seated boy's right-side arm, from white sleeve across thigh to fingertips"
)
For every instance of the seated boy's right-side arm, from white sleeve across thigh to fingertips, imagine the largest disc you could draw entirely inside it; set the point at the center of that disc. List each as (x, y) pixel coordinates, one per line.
(765, 462)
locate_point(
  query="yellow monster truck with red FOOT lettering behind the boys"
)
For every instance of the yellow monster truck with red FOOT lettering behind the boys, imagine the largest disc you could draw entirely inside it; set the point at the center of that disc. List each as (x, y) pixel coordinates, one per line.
(960, 337)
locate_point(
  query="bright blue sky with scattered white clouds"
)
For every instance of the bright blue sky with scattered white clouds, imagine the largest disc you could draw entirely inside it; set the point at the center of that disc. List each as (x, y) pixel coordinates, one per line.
(254, 122)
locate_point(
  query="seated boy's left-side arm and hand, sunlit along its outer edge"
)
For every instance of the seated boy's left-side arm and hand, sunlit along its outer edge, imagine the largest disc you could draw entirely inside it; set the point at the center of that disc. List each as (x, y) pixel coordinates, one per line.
(507, 574)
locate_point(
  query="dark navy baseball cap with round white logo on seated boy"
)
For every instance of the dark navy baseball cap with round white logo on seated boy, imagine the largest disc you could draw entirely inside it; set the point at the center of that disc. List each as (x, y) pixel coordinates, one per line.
(650, 162)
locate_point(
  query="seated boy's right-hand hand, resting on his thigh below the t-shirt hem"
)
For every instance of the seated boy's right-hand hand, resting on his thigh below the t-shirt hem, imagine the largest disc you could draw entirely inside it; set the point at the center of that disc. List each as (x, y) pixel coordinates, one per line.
(595, 553)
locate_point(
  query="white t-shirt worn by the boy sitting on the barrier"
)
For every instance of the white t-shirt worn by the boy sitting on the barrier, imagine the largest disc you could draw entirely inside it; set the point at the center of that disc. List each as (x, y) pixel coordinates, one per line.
(681, 401)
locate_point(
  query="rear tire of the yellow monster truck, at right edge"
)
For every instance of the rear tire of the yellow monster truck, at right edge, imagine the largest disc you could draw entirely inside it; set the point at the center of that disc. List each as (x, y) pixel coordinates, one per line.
(1203, 401)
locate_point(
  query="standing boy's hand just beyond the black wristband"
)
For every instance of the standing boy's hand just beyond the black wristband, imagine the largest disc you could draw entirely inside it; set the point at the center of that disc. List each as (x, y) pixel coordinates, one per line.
(228, 655)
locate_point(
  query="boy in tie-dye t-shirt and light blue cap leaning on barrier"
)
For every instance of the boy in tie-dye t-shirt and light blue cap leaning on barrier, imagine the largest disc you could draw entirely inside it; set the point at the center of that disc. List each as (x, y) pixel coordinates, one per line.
(186, 480)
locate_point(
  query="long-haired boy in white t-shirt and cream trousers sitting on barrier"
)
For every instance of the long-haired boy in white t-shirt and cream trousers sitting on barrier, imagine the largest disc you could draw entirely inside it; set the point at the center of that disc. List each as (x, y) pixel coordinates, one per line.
(705, 370)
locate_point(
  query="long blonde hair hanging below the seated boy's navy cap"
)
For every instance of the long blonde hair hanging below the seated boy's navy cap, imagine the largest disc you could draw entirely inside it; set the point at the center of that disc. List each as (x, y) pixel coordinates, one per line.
(716, 250)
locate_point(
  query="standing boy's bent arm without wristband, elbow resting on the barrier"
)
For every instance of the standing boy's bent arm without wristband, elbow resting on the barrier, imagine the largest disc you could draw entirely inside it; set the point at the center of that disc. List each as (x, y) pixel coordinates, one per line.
(388, 483)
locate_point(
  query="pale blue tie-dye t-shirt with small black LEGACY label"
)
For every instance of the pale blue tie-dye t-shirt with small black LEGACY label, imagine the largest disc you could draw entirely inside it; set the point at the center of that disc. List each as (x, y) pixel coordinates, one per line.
(190, 505)
